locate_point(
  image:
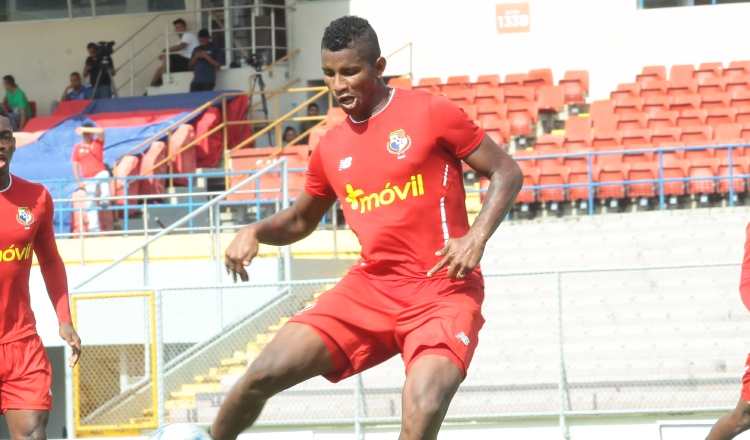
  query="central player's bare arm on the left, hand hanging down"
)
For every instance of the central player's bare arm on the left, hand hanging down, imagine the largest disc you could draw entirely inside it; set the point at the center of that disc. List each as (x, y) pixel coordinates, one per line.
(285, 227)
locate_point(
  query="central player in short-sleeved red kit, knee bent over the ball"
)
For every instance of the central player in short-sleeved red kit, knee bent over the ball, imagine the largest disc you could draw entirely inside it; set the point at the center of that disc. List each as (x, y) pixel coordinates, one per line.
(395, 165)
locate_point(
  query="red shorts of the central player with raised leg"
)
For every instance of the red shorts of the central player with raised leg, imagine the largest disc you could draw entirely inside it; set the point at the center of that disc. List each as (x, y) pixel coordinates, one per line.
(365, 321)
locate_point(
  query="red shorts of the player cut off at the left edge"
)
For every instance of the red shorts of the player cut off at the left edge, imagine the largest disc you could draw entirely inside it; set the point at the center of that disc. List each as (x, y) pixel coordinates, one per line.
(25, 376)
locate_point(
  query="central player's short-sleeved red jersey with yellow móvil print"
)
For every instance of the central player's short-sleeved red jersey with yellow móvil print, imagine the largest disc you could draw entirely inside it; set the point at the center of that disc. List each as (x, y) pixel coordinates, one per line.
(398, 176)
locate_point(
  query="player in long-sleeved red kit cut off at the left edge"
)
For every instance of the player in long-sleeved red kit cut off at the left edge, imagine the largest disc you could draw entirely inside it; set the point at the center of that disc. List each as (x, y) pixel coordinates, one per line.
(26, 226)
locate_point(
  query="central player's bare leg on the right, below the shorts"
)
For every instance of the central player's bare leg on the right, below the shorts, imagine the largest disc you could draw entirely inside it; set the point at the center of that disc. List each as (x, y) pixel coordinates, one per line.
(430, 386)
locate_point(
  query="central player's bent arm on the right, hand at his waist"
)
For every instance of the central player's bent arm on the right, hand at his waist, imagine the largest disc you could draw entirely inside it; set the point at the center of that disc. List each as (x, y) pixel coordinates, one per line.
(462, 254)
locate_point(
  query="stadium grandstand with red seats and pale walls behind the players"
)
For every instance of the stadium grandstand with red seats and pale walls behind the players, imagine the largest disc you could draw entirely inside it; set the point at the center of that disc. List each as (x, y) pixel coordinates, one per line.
(612, 306)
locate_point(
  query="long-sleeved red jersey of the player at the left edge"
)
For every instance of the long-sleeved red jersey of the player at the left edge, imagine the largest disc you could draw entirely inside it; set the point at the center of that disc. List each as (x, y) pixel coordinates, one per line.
(26, 213)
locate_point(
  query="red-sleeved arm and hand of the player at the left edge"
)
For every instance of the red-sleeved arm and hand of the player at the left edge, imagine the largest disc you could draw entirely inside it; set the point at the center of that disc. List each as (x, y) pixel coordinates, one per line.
(55, 278)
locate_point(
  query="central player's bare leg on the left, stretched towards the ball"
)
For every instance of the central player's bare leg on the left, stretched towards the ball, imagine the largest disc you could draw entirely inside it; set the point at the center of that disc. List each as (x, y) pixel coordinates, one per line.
(296, 354)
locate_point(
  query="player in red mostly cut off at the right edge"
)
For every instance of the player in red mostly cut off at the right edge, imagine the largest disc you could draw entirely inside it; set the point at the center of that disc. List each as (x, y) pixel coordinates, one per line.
(737, 421)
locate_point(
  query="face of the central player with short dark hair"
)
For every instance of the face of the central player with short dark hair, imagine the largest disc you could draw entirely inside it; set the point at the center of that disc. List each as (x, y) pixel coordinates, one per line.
(353, 81)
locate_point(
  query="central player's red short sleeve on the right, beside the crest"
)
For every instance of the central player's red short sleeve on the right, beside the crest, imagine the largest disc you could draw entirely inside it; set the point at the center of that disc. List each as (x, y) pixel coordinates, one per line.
(455, 131)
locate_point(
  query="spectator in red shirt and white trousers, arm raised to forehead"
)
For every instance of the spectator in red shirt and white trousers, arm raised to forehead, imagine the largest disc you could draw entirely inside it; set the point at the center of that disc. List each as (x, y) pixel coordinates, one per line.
(88, 163)
